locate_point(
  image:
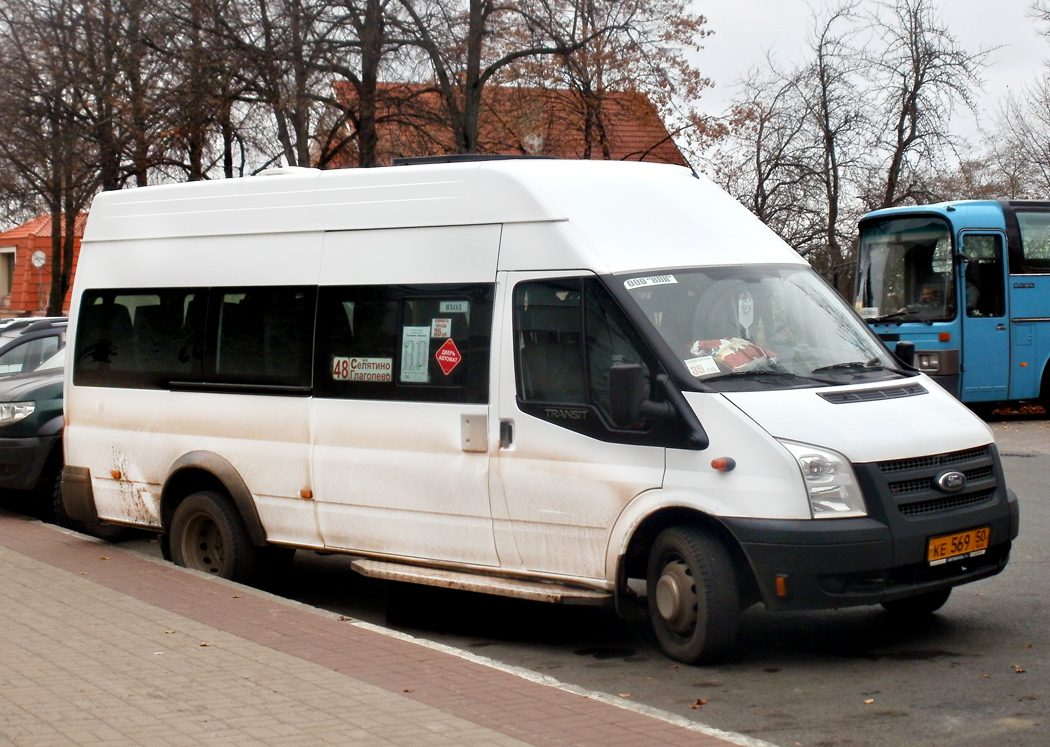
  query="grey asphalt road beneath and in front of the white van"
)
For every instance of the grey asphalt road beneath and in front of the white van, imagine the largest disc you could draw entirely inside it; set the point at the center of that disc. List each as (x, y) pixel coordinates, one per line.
(976, 674)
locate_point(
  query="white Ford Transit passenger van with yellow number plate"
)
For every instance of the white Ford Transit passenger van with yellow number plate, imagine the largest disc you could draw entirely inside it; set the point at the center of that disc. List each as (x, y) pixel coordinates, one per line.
(446, 454)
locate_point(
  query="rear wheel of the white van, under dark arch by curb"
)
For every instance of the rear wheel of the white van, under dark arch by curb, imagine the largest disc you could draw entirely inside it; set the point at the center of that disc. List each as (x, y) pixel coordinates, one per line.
(208, 535)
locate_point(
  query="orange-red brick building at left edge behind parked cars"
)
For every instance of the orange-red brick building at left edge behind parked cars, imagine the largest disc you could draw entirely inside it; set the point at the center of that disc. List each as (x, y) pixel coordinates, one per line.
(26, 267)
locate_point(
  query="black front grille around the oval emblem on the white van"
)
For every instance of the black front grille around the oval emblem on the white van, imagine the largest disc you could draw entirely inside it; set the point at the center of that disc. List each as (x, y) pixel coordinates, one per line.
(913, 486)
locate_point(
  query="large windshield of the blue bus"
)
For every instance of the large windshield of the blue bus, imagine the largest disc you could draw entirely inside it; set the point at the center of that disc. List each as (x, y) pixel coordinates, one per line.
(907, 271)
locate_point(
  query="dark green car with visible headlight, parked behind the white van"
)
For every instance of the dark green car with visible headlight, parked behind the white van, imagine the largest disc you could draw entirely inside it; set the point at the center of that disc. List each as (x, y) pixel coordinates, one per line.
(31, 431)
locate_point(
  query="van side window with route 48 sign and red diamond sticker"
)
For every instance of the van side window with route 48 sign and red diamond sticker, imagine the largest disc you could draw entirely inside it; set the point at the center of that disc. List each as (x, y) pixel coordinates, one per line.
(418, 343)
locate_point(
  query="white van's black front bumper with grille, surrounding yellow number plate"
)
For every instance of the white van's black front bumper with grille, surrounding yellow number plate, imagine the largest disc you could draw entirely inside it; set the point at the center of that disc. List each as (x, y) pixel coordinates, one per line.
(832, 564)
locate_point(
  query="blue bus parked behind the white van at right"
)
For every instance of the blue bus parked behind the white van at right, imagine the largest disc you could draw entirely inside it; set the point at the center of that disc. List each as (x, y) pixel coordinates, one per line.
(969, 284)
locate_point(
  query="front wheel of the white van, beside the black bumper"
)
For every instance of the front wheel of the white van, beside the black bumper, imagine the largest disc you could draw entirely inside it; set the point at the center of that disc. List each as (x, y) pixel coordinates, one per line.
(695, 604)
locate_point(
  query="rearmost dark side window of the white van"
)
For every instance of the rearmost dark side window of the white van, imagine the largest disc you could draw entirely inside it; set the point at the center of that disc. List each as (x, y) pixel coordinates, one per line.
(140, 339)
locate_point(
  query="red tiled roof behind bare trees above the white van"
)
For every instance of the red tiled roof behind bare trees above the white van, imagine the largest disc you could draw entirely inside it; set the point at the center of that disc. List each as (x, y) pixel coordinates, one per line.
(522, 121)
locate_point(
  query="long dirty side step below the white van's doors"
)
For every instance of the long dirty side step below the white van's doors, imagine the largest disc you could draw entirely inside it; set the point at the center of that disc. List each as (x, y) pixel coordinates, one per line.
(500, 586)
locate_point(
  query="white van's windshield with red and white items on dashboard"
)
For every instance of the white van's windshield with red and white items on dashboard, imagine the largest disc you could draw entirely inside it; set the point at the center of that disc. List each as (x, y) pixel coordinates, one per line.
(760, 327)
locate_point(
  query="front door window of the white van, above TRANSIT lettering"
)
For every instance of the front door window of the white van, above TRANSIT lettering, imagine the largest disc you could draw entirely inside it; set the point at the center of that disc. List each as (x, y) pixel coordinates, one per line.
(570, 335)
